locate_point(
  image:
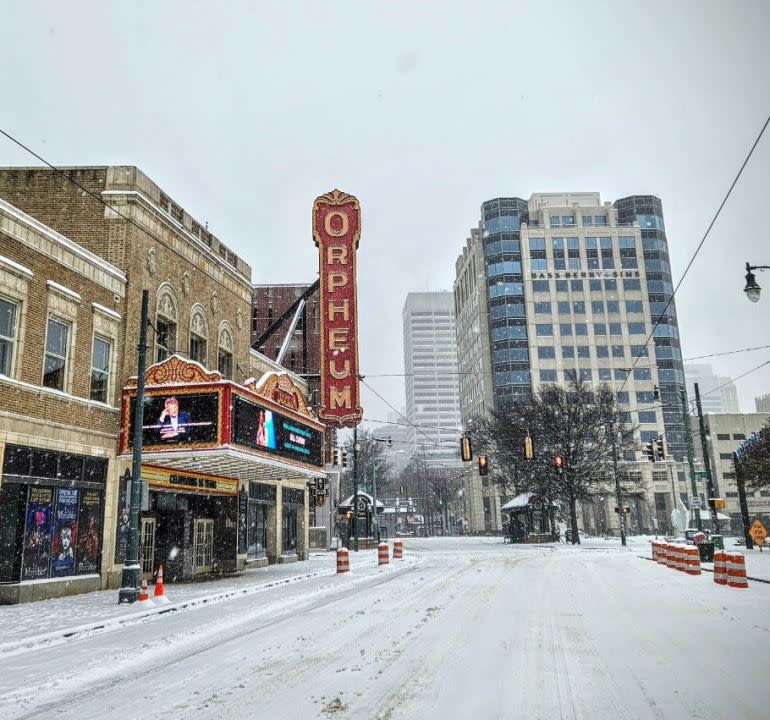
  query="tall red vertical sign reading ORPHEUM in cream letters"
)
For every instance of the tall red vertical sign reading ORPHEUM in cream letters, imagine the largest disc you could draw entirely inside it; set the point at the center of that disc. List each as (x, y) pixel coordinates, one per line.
(336, 231)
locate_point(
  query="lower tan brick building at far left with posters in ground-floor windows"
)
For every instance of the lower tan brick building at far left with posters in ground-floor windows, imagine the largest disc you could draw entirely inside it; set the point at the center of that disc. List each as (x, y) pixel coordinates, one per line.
(61, 328)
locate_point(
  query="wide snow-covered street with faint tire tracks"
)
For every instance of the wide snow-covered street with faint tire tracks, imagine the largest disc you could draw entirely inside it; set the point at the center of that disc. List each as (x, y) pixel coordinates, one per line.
(463, 628)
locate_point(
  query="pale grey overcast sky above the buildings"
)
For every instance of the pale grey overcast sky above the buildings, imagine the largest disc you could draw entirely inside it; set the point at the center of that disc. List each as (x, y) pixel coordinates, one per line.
(244, 112)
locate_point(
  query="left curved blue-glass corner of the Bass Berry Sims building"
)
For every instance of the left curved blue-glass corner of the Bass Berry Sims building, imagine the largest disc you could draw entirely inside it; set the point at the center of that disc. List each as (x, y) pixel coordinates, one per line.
(502, 218)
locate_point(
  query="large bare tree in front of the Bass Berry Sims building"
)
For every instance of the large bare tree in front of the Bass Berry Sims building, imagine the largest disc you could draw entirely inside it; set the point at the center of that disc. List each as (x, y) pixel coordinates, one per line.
(575, 432)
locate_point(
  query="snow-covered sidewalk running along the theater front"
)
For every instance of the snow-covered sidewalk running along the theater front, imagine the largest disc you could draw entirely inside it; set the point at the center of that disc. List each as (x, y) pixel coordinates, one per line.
(47, 621)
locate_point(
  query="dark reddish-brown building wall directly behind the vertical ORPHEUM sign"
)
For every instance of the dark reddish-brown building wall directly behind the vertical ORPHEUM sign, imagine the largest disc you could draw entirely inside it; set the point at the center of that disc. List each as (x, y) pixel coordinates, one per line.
(270, 301)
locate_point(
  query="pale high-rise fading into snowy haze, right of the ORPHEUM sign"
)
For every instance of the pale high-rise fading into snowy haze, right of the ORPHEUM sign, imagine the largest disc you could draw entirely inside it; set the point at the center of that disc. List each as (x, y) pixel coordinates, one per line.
(430, 364)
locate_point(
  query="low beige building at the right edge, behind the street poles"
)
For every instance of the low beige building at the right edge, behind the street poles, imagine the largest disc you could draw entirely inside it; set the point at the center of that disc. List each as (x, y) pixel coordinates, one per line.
(725, 432)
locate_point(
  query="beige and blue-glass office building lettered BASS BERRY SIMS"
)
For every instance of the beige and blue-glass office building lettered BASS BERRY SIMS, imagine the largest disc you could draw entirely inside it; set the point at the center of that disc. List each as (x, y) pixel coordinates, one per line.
(569, 284)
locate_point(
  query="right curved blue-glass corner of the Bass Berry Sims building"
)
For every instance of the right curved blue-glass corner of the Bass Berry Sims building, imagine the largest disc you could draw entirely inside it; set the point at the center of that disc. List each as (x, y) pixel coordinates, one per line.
(647, 210)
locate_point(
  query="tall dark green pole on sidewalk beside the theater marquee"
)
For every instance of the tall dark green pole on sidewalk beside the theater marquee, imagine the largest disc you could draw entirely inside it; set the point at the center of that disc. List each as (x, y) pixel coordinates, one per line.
(131, 578)
